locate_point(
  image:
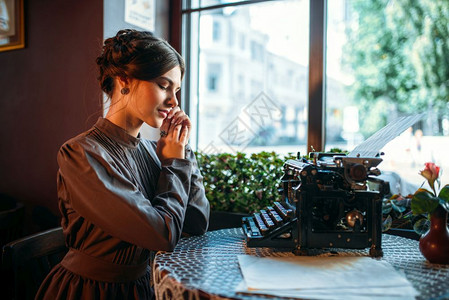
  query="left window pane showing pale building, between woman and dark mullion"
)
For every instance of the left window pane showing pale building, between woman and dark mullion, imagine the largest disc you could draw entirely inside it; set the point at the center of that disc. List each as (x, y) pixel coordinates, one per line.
(249, 91)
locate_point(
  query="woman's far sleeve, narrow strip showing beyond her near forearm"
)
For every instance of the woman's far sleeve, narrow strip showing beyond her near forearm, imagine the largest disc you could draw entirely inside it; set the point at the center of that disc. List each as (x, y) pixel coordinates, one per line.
(198, 209)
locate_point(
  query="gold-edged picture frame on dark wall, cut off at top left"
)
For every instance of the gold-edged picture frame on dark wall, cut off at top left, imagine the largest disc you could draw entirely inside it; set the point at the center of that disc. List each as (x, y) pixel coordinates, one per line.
(12, 25)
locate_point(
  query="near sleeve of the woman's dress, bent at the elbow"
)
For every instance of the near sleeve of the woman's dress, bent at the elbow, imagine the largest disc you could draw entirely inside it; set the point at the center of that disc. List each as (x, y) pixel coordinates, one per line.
(101, 192)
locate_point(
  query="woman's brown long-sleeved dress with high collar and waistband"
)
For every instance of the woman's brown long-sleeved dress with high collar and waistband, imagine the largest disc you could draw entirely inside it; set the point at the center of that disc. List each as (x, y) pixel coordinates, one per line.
(119, 203)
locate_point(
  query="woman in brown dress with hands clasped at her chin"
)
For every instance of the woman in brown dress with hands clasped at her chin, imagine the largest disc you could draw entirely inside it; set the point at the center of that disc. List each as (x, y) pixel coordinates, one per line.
(122, 196)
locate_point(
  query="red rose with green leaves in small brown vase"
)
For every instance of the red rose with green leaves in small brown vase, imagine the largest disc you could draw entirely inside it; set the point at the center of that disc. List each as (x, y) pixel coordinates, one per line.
(434, 244)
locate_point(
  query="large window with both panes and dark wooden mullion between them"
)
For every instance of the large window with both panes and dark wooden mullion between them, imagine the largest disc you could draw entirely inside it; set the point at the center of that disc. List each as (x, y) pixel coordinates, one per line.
(378, 60)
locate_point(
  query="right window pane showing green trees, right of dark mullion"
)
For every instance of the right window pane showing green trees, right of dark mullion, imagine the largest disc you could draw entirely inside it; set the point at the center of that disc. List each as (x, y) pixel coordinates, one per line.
(387, 59)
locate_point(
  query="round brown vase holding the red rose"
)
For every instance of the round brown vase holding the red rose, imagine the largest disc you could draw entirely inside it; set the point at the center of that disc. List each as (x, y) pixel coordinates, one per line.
(434, 245)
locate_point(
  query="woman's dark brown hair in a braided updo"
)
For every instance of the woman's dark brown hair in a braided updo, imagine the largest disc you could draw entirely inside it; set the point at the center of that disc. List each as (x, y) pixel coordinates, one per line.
(135, 54)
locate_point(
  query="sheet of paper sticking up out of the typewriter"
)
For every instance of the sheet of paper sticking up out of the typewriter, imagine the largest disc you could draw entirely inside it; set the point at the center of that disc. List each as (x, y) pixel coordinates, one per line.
(372, 146)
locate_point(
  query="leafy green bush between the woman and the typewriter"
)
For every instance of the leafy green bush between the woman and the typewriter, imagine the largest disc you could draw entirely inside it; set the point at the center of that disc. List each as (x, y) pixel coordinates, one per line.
(239, 182)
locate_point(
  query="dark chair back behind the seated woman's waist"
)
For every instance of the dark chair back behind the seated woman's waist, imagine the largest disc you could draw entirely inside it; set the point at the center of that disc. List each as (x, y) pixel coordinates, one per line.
(27, 261)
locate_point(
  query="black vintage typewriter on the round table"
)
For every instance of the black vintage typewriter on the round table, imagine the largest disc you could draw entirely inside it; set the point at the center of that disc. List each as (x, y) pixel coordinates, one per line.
(328, 201)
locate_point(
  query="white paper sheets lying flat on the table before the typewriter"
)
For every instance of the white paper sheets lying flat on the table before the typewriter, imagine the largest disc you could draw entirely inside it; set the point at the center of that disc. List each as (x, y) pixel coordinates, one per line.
(312, 275)
